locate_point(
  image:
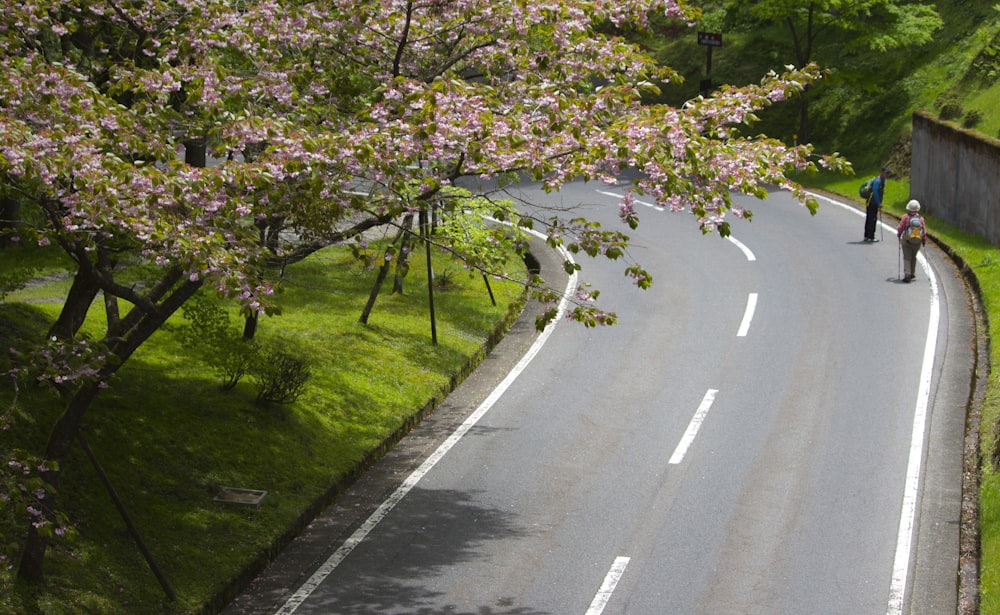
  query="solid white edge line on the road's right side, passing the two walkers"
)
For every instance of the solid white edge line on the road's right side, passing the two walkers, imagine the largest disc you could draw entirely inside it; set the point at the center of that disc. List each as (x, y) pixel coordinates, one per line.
(911, 488)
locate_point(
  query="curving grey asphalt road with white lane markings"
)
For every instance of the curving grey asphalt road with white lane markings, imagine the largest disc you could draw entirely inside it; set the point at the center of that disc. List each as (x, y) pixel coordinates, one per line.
(775, 427)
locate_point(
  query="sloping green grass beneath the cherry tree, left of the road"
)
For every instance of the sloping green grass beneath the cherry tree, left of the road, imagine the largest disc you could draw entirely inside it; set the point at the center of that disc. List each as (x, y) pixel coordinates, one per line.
(170, 438)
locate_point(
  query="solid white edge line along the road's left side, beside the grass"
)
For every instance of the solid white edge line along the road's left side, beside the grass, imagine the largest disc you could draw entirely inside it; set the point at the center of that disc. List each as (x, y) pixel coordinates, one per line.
(321, 573)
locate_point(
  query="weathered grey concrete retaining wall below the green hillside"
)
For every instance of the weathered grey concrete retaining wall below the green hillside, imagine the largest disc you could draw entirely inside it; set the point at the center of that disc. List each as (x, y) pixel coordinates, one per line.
(955, 174)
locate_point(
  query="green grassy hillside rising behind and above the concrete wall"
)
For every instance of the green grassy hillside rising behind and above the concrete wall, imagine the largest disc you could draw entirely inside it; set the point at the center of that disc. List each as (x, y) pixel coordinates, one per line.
(863, 109)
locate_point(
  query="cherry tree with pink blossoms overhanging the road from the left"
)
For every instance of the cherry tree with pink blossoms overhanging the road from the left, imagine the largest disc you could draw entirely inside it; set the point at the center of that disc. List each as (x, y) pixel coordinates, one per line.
(205, 139)
